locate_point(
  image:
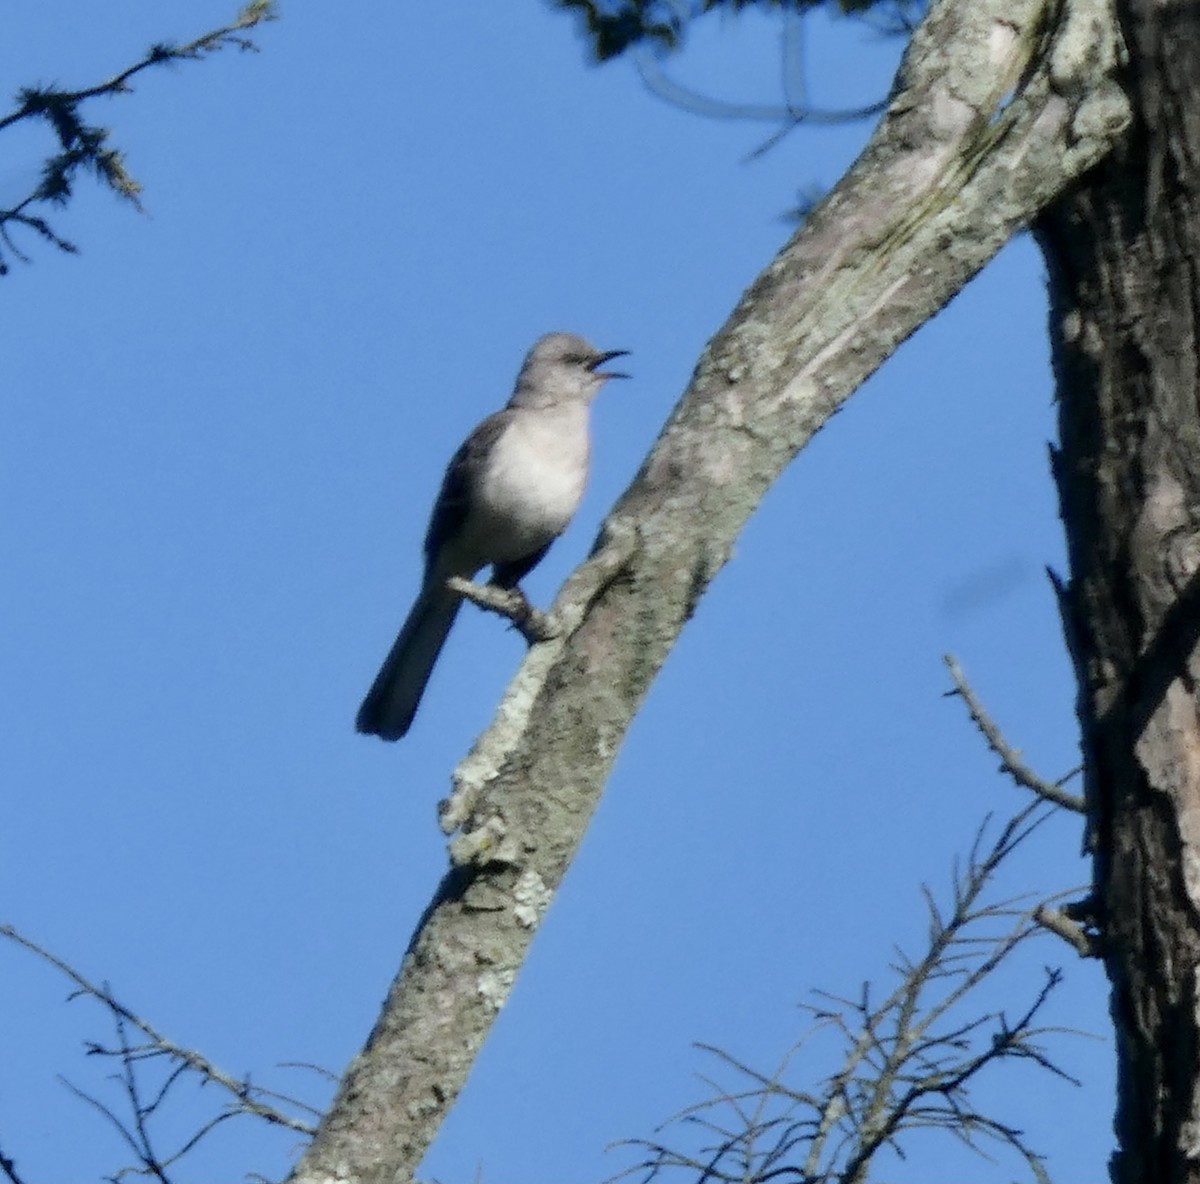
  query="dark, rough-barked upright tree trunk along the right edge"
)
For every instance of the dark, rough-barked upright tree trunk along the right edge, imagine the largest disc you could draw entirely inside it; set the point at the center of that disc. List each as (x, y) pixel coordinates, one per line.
(1124, 253)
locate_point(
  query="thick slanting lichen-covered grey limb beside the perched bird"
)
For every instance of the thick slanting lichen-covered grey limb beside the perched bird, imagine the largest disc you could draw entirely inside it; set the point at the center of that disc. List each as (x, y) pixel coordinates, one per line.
(999, 106)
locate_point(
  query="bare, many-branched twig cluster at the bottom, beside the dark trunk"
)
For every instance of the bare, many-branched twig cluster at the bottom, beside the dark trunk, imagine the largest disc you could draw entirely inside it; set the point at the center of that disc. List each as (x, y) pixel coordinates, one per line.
(908, 1062)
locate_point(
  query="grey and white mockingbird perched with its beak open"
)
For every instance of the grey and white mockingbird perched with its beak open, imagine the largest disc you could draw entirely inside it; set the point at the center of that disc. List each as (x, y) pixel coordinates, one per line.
(509, 492)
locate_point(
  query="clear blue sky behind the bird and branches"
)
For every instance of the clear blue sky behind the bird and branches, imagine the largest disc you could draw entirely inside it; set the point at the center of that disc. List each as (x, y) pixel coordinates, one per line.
(223, 429)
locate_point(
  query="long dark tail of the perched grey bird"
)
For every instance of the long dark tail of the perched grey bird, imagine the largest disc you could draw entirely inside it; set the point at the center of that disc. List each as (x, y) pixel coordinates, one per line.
(392, 702)
